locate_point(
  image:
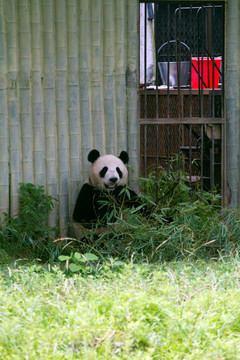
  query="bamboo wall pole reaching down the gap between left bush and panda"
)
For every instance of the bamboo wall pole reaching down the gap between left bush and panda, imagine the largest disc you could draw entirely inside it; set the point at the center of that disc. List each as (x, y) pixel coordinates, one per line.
(61, 111)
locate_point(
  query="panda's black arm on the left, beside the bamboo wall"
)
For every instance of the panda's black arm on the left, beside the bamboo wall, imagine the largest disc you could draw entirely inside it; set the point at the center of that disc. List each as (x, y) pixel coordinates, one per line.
(84, 208)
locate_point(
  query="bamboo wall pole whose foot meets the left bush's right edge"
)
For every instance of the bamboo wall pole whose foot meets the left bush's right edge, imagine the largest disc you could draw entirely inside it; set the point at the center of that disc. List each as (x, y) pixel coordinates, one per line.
(49, 103)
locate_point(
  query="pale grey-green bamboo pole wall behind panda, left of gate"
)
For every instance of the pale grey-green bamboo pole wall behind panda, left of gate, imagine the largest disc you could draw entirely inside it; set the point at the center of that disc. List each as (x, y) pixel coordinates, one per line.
(68, 83)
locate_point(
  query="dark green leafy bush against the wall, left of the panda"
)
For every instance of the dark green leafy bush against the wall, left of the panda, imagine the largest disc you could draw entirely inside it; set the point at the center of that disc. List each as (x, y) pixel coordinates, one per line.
(29, 229)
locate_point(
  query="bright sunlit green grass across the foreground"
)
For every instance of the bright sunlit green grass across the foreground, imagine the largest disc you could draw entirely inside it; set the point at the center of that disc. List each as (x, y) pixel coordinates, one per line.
(178, 310)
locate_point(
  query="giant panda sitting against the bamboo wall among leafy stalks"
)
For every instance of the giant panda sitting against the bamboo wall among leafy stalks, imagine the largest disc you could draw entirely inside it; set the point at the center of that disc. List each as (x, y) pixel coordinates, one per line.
(107, 182)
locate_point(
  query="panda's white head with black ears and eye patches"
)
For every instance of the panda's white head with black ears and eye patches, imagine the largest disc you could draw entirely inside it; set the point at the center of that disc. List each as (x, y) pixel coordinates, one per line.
(107, 171)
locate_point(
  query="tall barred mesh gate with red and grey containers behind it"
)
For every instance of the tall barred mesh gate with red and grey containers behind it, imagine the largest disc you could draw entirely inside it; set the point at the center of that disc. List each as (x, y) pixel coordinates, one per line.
(181, 97)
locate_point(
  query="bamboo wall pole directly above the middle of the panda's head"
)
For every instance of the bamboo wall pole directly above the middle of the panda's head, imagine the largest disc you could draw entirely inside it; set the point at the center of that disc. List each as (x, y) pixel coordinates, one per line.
(108, 77)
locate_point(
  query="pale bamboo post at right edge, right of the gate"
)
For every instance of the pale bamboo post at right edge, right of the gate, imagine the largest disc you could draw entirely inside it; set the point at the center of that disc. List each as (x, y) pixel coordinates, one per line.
(233, 104)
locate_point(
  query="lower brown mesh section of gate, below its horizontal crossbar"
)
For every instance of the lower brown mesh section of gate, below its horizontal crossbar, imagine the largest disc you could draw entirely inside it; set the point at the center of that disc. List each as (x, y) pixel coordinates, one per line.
(196, 151)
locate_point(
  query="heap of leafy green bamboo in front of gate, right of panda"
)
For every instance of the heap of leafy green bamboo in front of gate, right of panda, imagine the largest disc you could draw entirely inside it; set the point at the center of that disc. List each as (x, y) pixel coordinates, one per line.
(180, 222)
